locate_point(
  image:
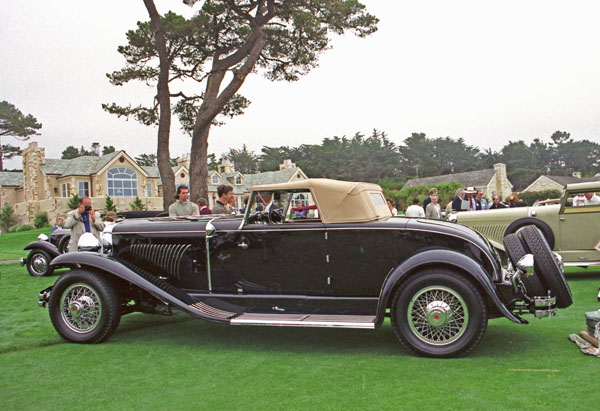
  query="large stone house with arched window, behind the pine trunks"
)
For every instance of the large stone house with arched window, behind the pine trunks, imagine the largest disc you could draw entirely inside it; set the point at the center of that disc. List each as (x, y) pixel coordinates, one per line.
(48, 184)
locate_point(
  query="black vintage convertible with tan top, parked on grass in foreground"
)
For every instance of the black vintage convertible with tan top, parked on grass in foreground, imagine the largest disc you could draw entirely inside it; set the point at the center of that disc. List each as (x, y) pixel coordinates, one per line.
(311, 253)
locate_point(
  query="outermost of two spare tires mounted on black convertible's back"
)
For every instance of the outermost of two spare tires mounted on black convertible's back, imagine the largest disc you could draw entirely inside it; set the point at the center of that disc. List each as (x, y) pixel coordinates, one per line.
(546, 265)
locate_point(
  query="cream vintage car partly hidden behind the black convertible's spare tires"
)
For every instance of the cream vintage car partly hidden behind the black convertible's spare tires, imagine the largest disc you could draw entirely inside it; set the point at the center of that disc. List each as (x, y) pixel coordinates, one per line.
(571, 227)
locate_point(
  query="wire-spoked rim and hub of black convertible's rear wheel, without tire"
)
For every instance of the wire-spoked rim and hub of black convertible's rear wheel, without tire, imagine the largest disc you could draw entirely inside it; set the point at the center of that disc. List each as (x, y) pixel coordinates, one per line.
(437, 315)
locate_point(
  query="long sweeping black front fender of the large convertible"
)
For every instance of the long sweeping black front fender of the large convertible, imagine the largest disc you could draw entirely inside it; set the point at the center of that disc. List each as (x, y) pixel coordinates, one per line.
(144, 280)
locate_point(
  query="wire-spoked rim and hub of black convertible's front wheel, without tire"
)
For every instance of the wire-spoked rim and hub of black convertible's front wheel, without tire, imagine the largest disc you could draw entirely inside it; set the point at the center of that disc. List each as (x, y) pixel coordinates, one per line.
(80, 308)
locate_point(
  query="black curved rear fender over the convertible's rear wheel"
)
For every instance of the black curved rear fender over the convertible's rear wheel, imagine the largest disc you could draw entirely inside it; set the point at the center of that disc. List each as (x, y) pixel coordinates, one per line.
(444, 257)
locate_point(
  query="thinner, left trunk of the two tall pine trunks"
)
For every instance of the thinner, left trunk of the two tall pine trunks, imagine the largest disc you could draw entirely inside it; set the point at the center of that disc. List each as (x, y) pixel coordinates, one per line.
(163, 155)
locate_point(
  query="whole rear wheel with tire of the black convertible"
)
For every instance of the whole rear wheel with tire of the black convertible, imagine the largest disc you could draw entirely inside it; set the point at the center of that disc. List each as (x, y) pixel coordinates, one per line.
(439, 313)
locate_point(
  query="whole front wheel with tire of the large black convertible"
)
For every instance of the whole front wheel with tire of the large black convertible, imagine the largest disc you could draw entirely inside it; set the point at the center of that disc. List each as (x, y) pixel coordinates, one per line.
(84, 307)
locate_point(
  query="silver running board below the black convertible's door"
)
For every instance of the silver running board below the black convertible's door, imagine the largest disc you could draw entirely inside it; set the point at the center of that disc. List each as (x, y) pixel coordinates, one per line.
(306, 320)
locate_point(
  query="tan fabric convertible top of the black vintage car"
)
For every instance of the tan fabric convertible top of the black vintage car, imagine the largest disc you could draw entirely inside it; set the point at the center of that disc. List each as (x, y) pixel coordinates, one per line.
(340, 201)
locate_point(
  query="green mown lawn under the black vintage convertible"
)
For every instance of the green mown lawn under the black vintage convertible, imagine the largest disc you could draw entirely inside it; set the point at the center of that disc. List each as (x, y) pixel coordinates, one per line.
(179, 362)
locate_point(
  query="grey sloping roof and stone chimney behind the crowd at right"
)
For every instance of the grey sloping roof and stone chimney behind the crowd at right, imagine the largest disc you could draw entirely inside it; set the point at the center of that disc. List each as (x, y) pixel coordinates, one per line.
(493, 181)
